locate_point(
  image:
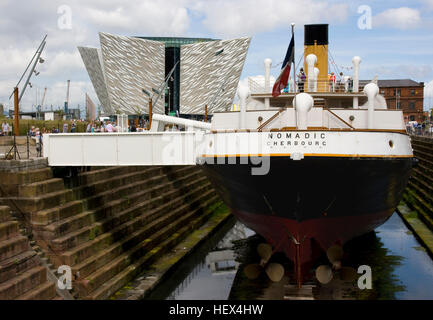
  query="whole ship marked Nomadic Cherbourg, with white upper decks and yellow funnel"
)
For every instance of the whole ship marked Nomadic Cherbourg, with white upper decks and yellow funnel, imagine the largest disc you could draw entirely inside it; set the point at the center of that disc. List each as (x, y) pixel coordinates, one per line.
(309, 171)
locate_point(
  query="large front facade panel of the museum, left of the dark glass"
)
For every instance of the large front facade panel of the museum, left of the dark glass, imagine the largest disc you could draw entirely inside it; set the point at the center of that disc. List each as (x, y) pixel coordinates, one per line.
(130, 65)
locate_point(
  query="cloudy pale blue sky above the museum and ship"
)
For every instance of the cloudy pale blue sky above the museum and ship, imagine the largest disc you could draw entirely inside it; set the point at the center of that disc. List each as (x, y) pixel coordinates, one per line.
(393, 38)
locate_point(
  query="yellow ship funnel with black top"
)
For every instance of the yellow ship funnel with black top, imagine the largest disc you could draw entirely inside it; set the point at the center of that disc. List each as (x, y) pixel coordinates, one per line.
(316, 42)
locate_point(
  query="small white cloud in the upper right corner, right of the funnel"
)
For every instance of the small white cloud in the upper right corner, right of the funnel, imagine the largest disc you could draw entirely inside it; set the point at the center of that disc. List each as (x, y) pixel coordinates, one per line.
(399, 18)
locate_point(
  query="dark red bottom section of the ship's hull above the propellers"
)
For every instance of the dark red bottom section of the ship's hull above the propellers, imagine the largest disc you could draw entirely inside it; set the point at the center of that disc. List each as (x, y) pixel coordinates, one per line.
(303, 242)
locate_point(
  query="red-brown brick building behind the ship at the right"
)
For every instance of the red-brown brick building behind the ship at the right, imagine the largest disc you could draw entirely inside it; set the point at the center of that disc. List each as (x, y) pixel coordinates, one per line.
(404, 94)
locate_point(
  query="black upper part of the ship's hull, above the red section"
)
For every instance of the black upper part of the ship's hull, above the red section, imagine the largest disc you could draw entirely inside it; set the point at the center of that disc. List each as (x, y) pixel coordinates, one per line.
(314, 187)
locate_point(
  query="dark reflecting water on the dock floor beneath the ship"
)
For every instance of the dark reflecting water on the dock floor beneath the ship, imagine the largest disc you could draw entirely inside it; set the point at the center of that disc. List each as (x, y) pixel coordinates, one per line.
(401, 269)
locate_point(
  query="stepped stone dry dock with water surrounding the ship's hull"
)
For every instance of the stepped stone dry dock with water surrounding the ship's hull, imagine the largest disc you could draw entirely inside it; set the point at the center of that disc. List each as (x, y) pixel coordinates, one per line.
(163, 233)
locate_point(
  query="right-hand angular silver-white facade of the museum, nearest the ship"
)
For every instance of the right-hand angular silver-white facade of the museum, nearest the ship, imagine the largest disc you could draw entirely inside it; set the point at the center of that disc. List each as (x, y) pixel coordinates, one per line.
(209, 74)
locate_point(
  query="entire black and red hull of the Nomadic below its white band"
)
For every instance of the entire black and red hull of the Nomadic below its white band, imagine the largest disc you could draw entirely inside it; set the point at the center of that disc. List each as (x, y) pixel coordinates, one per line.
(303, 207)
